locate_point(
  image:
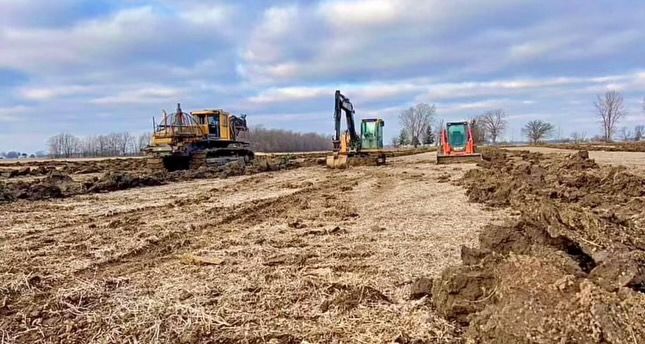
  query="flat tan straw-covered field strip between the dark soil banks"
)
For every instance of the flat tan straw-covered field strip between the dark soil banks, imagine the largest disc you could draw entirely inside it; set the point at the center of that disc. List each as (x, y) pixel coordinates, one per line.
(306, 254)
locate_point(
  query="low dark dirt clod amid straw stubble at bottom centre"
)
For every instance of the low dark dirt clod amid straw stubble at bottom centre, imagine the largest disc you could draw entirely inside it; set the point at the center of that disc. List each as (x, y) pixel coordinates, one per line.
(351, 297)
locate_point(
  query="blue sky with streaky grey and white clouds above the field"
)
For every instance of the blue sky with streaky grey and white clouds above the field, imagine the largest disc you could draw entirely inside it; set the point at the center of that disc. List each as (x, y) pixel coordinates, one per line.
(99, 66)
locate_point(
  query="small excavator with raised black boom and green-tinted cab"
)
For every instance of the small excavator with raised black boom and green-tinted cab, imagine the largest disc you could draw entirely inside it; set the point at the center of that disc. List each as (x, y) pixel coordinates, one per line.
(349, 147)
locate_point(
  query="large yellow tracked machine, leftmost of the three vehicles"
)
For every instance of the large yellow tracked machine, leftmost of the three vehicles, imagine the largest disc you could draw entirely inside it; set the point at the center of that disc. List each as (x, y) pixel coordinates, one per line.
(202, 138)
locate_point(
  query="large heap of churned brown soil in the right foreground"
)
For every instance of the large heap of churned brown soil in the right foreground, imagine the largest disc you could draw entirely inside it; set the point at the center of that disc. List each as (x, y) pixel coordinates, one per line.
(570, 268)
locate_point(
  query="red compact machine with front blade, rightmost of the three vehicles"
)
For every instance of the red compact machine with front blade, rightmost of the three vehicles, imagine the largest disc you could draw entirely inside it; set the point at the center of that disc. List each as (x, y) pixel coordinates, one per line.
(457, 144)
